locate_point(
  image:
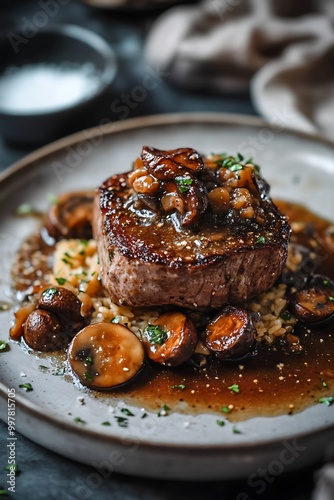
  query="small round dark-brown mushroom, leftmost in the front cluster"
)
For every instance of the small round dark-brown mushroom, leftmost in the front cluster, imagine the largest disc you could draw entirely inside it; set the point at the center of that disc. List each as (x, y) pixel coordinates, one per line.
(44, 332)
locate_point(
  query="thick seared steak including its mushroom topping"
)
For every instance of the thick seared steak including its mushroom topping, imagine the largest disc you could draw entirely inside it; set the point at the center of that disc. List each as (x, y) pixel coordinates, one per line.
(188, 231)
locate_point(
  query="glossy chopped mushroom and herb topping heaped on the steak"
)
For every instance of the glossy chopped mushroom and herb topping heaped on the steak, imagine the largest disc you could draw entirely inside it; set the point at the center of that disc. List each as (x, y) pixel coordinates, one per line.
(180, 180)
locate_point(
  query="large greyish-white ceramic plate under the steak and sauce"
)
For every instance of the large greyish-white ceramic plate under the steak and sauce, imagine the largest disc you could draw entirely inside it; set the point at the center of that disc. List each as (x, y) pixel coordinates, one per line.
(299, 167)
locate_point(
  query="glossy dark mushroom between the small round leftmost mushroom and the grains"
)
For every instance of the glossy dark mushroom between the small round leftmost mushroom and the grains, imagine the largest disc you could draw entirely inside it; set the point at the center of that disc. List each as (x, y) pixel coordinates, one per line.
(65, 305)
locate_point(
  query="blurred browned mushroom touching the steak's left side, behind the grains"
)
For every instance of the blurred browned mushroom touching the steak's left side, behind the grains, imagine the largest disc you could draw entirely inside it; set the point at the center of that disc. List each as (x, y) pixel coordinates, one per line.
(71, 216)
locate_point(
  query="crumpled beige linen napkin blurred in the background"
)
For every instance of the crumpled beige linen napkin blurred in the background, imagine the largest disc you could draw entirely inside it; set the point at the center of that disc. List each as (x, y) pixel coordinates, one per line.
(282, 49)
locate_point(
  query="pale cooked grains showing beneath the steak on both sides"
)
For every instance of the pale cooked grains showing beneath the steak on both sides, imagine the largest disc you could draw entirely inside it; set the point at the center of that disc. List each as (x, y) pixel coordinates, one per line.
(76, 266)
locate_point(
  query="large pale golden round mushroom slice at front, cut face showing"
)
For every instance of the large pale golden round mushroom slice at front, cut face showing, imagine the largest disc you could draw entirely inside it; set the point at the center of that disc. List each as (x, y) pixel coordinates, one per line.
(105, 355)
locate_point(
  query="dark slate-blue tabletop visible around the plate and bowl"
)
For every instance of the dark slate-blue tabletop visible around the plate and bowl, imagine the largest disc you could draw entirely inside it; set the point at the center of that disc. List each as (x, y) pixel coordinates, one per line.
(44, 474)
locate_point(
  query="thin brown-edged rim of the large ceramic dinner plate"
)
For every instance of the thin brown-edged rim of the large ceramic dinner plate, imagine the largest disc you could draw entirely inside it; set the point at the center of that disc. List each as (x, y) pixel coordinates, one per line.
(110, 129)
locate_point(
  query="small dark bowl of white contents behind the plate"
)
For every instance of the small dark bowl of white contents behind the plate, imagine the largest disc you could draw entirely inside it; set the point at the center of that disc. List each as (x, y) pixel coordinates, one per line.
(78, 68)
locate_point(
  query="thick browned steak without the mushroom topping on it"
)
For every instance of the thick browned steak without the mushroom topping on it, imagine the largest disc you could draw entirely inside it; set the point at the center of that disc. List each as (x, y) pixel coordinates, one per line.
(148, 258)
